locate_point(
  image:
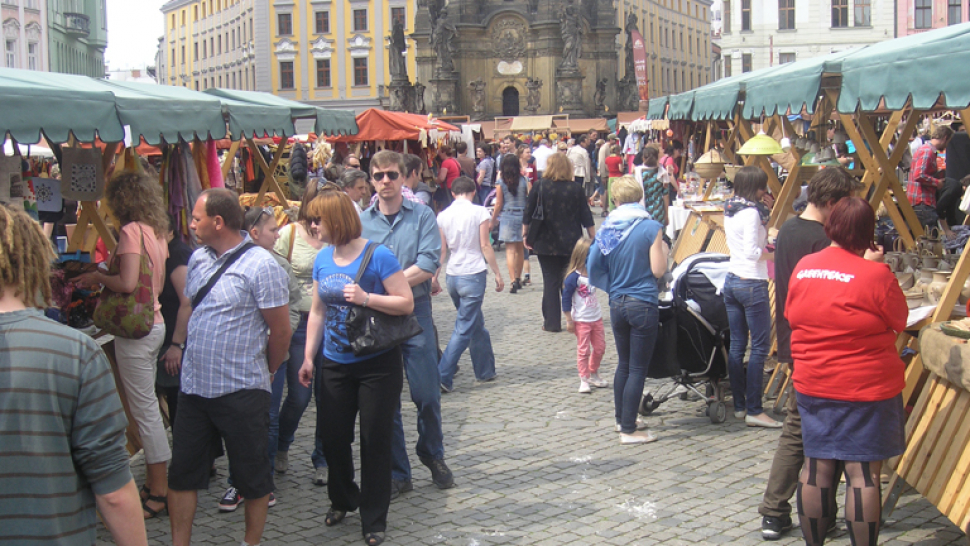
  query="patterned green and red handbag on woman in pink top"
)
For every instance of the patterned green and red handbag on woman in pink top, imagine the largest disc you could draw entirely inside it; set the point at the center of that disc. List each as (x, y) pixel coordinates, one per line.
(132, 315)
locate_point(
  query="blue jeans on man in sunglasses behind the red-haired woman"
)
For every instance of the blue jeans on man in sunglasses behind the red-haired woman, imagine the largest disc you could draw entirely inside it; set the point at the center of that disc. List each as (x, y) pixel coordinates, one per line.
(424, 382)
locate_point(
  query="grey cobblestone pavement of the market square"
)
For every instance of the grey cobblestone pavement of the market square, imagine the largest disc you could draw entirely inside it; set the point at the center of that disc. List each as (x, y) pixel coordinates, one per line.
(535, 462)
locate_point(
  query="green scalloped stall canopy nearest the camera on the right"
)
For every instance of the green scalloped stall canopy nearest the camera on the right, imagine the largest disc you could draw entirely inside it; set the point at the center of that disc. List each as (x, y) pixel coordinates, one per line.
(922, 66)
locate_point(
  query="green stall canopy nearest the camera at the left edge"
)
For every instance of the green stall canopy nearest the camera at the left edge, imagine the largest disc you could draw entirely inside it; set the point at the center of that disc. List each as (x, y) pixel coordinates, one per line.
(39, 101)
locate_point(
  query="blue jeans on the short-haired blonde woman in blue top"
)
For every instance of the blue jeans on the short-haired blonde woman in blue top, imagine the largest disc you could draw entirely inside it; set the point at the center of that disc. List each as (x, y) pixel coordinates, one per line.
(635, 333)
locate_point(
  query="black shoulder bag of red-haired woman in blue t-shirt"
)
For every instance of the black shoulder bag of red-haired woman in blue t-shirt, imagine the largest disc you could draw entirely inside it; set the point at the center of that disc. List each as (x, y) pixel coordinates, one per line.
(371, 331)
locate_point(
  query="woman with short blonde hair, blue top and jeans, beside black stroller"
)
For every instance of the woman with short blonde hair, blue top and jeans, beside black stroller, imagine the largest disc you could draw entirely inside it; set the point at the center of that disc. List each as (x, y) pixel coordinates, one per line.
(627, 258)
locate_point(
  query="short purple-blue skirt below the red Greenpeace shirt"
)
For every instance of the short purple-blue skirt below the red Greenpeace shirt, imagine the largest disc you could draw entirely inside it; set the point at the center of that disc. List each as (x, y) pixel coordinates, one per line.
(852, 431)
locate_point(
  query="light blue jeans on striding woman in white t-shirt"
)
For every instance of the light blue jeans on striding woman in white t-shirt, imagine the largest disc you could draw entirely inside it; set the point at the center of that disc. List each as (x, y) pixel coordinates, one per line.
(468, 292)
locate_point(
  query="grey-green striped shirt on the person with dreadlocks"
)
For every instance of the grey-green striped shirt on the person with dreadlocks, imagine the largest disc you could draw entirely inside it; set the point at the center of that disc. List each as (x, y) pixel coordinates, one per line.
(62, 432)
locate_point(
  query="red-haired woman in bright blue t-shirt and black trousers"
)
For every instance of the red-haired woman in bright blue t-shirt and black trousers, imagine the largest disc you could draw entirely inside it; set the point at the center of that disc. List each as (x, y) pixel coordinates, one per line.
(348, 384)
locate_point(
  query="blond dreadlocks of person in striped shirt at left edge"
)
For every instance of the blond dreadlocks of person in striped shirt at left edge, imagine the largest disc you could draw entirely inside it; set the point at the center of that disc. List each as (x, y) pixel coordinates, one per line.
(25, 258)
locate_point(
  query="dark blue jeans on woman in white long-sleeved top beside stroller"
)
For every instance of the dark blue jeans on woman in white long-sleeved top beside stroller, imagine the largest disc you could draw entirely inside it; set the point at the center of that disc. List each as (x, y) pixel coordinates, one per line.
(748, 312)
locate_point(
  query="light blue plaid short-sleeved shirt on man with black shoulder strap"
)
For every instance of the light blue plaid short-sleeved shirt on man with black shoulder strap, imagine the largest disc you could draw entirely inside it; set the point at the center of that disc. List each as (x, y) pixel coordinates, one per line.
(226, 347)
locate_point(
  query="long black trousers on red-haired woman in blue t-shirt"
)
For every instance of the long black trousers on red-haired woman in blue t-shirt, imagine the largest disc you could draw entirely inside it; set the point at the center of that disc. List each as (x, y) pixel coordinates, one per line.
(372, 388)
